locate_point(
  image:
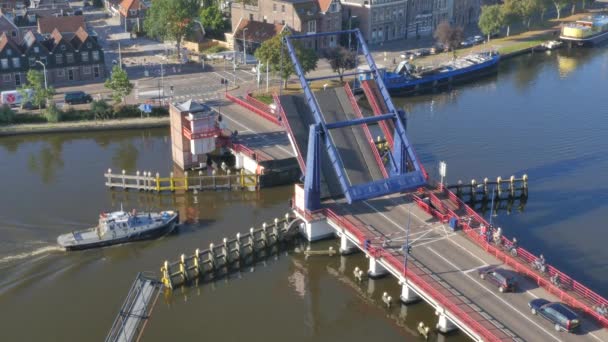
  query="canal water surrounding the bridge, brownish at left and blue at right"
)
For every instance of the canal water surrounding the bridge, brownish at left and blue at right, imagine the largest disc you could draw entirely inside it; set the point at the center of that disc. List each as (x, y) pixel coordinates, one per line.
(544, 115)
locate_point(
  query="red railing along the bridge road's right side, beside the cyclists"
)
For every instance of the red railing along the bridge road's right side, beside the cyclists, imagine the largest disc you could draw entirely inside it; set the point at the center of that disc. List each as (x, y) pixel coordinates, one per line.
(568, 291)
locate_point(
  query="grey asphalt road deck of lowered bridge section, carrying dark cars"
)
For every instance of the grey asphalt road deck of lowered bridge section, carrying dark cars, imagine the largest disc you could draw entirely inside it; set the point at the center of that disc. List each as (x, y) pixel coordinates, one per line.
(451, 257)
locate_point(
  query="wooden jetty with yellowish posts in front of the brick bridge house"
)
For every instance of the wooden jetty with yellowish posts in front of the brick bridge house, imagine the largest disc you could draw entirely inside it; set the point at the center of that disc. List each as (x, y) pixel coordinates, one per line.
(146, 181)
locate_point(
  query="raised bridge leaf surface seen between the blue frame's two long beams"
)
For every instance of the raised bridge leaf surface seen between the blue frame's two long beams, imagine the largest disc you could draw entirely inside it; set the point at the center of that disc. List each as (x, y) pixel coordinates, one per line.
(355, 152)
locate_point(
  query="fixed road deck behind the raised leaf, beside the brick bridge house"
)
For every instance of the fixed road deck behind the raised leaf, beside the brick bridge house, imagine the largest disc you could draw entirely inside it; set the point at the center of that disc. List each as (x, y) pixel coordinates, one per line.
(255, 132)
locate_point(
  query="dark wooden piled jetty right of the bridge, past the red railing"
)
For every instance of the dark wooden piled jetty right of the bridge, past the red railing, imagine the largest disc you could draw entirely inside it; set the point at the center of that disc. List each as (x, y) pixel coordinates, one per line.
(500, 189)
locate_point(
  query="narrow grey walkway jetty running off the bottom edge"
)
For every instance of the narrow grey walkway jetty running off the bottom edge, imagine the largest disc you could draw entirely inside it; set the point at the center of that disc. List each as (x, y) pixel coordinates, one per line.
(136, 309)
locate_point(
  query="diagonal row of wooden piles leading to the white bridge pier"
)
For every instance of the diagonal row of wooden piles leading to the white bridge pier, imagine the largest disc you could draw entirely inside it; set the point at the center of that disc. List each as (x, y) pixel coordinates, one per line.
(229, 253)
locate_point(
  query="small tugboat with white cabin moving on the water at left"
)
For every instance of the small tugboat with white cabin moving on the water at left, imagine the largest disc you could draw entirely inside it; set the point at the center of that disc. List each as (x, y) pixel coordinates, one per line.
(121, 227)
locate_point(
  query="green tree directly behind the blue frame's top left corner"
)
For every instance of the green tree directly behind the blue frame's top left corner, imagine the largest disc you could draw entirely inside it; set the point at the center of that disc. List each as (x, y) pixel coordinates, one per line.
(270, 52)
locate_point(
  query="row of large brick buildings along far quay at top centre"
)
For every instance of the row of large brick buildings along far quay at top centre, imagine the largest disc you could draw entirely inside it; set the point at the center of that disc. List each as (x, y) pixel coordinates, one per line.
(379, 20)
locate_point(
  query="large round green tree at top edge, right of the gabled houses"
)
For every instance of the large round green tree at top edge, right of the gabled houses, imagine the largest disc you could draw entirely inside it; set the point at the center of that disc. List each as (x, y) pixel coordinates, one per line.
(172, 20)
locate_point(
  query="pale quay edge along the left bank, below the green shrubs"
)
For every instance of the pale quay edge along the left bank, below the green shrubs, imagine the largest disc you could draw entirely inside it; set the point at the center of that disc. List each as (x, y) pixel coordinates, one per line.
(84, 126)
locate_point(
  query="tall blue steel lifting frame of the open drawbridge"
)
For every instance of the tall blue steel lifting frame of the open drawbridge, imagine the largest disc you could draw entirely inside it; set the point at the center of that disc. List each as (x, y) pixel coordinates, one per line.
(400, 179)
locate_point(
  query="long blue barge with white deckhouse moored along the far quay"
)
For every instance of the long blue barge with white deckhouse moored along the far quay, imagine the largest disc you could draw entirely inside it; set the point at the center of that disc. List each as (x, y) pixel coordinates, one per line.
(408, 79)
